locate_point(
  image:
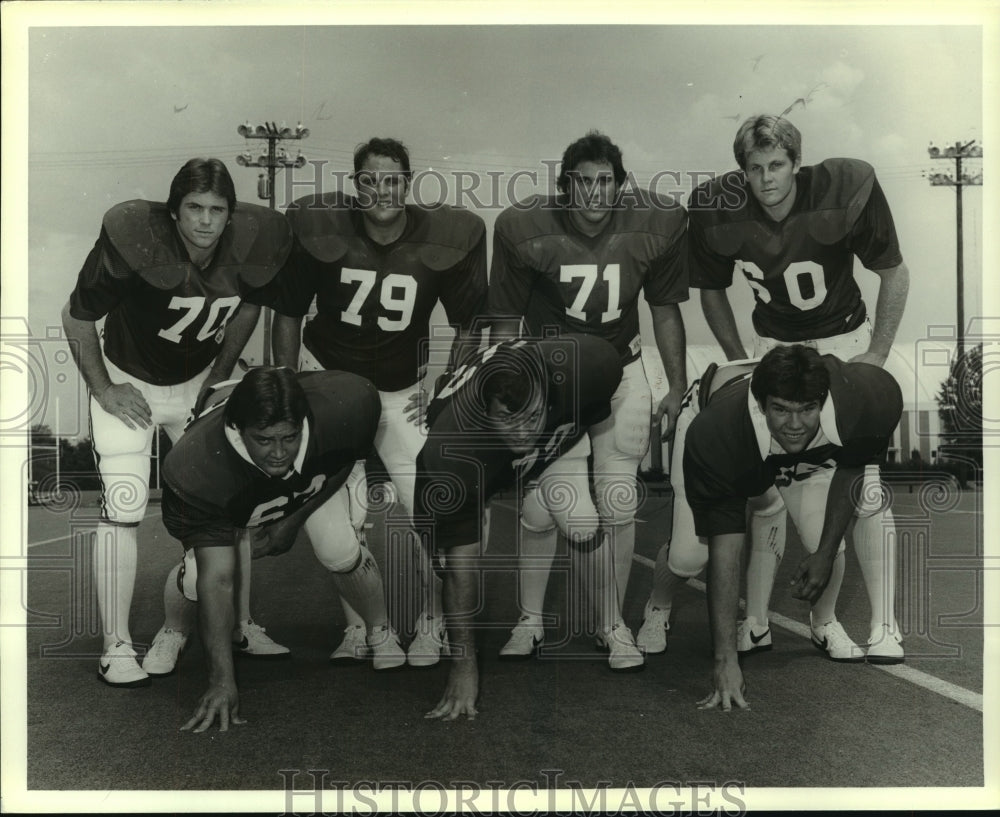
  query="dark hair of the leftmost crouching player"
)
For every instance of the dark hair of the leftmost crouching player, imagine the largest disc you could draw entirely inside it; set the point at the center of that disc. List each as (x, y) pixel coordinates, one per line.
(265, 396)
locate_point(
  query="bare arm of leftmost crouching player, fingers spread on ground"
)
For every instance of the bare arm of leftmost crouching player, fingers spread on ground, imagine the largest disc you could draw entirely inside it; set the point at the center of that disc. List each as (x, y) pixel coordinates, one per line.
(216, 569)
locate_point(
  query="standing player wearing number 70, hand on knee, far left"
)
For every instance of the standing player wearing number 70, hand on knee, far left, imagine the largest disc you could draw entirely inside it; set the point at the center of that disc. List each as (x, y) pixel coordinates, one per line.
(180, 285)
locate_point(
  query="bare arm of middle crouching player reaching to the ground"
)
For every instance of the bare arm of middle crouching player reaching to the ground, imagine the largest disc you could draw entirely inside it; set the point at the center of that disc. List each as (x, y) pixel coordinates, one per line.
(460, 597)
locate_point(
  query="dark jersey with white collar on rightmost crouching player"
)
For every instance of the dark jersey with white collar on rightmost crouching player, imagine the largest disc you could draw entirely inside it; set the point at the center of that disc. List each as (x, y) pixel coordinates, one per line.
(727, 454)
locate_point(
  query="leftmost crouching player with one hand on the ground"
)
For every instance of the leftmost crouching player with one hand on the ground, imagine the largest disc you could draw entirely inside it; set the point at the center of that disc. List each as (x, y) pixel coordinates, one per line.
(258, 467)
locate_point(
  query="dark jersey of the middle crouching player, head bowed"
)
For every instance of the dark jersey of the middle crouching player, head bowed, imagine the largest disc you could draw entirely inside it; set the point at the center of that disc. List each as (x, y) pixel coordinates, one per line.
(463, 462)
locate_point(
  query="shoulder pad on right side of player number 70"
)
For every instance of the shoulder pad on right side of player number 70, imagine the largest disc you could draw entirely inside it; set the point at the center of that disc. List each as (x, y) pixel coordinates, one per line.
(256, 242)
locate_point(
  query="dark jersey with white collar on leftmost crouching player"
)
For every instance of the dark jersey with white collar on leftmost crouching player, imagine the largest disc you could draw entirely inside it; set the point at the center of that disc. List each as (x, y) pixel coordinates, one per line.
(210, 490)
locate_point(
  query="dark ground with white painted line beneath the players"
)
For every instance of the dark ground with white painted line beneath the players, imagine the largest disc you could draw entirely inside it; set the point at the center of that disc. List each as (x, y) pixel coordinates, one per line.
(559, 722)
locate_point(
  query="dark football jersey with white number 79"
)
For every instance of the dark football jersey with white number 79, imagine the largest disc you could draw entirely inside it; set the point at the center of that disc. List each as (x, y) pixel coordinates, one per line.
(374, 301)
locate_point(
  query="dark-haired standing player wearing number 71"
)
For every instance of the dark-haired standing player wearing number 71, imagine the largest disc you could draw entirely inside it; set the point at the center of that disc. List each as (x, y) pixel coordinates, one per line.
(578, 262)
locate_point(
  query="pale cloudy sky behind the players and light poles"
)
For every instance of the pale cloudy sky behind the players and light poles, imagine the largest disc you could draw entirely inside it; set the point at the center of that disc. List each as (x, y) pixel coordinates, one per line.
(112, 111)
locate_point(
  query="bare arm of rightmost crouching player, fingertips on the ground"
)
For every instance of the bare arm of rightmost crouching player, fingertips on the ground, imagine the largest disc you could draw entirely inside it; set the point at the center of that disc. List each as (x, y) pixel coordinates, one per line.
(725, 558)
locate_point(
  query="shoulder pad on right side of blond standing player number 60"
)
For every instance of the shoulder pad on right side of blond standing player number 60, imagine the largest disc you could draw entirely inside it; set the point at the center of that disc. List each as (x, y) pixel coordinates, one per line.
(838, 192)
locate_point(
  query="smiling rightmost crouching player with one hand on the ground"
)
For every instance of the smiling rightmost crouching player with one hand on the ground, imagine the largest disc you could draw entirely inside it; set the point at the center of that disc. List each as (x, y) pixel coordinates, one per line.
(808, 425)
